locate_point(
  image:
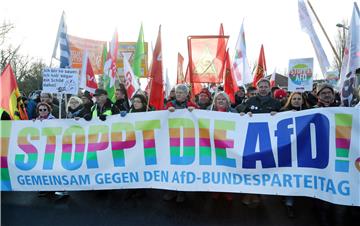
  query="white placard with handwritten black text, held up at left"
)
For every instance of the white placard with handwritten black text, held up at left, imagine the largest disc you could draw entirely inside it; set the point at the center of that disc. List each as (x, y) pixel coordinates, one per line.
(61, 80)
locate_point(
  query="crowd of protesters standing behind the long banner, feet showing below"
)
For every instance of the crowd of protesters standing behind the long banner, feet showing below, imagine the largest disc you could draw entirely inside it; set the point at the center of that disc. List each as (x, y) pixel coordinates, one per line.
(253, 100)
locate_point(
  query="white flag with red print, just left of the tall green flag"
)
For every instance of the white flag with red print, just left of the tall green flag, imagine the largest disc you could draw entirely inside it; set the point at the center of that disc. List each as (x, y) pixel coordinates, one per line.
(131, 82)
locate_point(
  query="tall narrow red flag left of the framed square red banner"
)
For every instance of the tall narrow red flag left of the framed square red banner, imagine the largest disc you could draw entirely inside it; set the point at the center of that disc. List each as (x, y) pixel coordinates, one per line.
(156, 90)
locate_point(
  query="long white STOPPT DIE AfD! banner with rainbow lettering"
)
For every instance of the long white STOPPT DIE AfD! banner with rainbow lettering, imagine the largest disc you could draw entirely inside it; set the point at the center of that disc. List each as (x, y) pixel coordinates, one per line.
(312, 153)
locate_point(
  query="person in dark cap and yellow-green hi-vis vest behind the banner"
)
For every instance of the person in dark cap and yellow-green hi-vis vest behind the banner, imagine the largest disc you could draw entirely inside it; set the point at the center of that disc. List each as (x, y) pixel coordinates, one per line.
(103, 106)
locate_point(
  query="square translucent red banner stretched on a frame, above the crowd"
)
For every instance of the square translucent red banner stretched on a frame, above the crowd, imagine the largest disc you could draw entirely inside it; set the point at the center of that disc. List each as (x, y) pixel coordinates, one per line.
(206, 58)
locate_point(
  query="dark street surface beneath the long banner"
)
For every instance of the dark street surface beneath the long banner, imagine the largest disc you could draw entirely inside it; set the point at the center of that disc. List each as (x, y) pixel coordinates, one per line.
(109, 208)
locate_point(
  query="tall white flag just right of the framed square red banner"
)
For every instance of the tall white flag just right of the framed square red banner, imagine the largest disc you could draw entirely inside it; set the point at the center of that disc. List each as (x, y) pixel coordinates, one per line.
(241, 65)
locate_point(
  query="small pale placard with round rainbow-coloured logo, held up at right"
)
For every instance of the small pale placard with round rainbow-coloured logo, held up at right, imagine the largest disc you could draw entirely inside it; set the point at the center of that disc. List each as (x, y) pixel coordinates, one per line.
(300, 77)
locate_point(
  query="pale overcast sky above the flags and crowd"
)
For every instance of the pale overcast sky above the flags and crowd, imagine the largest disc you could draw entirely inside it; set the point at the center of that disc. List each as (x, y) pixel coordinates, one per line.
(272, 23)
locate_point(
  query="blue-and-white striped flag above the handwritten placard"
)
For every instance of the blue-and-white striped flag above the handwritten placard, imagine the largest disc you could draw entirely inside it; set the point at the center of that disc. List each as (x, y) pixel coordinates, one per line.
(62, 38)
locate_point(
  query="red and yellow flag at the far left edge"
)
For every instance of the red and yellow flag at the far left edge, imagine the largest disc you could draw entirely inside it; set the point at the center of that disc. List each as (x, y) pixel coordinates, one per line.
(10, 99)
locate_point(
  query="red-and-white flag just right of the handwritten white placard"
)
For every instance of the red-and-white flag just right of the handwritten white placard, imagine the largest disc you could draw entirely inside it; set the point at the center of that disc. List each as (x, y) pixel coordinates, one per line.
(88, 81)
